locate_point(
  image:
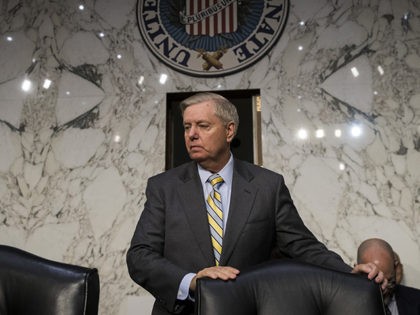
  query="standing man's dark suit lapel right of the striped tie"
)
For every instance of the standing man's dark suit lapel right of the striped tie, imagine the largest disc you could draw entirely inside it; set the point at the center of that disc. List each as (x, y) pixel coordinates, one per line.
(241, 202)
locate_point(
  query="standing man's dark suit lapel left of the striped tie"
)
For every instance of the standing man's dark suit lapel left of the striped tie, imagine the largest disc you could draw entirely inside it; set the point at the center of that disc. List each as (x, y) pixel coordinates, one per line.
(192, 200)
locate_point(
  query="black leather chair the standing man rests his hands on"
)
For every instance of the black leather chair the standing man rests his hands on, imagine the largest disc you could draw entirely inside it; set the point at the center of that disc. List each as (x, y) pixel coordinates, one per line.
(289, 288)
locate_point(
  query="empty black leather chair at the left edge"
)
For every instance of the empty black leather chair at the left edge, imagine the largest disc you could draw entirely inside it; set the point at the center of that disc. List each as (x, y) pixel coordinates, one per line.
(33, 285)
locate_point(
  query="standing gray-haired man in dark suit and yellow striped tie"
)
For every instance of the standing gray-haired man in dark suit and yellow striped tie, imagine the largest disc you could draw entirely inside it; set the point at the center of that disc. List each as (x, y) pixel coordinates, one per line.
(179, 239)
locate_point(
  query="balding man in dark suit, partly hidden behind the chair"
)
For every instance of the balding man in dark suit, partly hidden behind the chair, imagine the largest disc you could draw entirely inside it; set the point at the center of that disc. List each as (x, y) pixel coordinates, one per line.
(399, 299)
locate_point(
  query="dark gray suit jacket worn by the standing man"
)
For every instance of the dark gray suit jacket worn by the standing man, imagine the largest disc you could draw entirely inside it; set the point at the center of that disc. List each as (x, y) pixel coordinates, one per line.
(172, 237)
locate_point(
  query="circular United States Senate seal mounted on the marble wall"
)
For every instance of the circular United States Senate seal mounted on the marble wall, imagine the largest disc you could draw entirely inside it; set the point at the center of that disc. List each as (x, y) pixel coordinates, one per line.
(211, 38)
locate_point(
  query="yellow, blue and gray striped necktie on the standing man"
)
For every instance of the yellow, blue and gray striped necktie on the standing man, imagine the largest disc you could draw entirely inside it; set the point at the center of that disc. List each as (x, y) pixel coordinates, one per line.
(215, 215)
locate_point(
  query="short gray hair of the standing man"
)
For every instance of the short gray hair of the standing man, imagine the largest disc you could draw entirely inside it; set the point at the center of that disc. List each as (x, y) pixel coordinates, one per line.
(224, 109)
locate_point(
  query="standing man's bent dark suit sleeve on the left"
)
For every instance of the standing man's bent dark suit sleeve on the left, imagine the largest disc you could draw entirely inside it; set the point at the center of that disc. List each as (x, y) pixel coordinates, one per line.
(146, 263)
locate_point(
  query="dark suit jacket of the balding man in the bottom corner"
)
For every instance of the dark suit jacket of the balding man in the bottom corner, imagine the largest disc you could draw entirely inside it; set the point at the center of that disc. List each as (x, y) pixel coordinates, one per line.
(408, 300)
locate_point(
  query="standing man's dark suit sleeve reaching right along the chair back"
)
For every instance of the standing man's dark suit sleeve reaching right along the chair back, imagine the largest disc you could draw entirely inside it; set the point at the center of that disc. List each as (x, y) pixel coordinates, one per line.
(296, 241)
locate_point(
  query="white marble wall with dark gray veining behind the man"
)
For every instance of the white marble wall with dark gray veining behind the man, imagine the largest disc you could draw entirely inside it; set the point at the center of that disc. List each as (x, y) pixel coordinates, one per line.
(82, 126)
